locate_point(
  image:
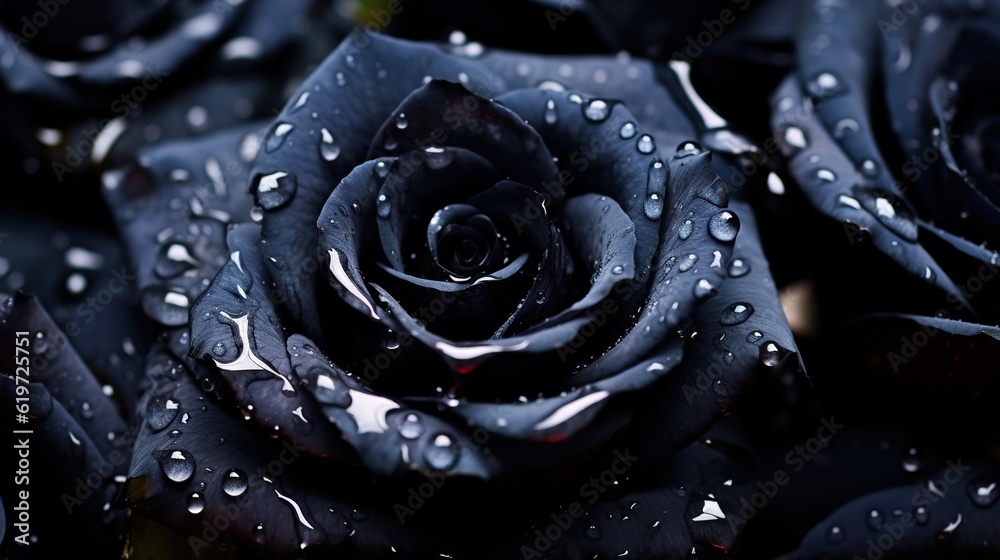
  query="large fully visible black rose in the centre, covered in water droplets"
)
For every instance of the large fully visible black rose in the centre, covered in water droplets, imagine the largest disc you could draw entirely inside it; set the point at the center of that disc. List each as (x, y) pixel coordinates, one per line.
(470, 266)
